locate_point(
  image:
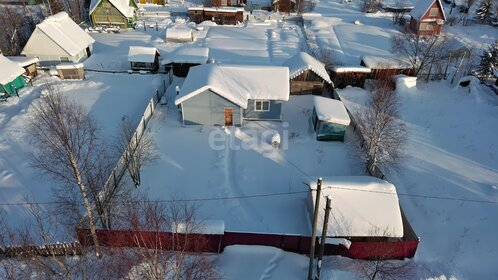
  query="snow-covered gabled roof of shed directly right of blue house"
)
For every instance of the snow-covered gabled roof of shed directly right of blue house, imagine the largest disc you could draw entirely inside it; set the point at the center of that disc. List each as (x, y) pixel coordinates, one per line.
(302, 62)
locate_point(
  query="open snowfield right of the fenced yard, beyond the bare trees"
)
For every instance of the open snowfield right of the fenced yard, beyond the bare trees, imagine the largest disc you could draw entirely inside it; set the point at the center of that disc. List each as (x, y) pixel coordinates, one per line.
(451, 153)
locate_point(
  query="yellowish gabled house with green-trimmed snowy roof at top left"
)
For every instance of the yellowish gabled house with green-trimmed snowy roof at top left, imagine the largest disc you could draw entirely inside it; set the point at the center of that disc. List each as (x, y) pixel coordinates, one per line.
(120, 13)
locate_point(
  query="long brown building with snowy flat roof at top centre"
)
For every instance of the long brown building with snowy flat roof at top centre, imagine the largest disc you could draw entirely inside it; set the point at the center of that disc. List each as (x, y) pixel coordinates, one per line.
(219, 15)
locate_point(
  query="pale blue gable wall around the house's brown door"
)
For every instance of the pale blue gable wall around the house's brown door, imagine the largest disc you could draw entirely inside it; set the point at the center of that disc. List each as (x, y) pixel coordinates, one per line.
(208, 108)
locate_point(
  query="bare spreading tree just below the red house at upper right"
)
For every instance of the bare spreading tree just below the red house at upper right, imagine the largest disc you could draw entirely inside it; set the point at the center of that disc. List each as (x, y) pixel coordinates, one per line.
(420, 51)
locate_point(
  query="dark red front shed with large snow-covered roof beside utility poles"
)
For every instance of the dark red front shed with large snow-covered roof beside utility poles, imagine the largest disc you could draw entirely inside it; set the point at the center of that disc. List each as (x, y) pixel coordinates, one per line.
(366, 219)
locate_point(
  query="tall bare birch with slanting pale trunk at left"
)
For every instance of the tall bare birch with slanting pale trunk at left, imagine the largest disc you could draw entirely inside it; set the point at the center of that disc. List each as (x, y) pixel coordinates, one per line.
(65, 139)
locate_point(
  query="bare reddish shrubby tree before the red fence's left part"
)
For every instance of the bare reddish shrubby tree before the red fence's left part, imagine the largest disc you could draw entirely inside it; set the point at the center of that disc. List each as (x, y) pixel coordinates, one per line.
(157, 255)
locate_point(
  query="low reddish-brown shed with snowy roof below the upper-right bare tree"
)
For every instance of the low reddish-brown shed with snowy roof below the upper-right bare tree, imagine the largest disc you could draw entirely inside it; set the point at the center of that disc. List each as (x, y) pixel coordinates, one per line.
(383, 67)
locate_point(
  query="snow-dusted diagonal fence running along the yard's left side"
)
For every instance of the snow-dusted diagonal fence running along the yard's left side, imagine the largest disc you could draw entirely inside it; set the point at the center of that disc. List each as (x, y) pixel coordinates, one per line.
(120, 168)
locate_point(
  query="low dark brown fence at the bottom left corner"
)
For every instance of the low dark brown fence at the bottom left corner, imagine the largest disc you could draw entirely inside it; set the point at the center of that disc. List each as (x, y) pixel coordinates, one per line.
(58, 249)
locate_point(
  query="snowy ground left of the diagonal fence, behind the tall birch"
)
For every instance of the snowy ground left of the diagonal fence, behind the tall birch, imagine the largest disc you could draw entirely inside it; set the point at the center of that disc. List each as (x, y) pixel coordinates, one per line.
(108, 98)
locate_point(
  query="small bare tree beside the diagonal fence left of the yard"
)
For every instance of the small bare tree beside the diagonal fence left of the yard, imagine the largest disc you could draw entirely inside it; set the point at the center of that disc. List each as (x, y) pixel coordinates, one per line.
(138, 149)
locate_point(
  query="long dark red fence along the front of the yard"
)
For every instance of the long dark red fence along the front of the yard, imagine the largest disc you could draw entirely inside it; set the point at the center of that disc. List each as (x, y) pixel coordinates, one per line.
(360, 248)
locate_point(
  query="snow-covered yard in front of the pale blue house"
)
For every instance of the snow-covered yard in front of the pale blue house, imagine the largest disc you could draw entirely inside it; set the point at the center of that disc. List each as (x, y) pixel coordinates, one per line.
(206, 163)
